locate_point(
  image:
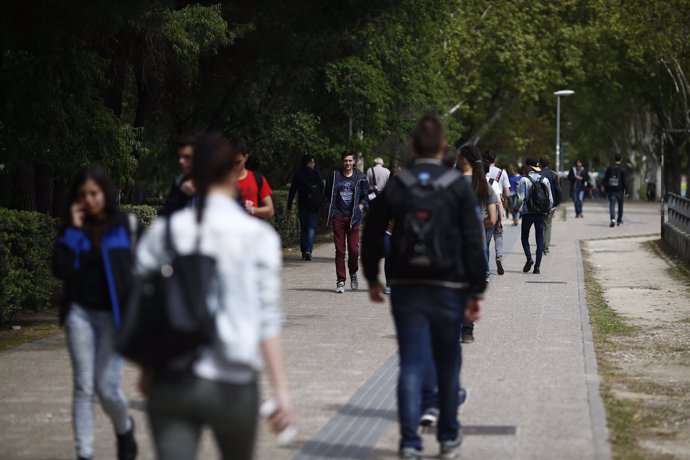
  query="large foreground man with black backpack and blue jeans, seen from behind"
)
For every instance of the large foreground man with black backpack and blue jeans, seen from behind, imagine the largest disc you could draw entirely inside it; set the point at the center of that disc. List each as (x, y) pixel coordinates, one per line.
(436, 282)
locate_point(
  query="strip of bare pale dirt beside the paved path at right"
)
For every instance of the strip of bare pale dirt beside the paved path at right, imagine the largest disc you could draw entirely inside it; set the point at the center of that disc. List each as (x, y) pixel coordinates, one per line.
(647, 369)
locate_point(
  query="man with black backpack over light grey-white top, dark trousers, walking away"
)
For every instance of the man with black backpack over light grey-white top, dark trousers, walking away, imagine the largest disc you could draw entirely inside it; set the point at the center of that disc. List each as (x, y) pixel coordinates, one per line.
(534, 190)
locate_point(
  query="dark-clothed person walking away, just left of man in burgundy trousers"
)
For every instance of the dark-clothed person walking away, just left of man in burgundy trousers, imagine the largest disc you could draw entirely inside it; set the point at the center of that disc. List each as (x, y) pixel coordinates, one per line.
(307, 183)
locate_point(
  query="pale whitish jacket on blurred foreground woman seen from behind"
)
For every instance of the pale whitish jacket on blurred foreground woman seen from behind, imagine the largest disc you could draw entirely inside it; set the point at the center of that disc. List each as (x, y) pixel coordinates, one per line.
(249, 259)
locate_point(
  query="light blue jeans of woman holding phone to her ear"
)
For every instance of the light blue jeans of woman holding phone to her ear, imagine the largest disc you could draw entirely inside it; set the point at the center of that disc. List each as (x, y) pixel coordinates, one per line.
(97, 369)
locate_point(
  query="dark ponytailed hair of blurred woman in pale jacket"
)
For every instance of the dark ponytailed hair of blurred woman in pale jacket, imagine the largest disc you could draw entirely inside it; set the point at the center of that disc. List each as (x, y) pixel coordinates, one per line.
(214, 158)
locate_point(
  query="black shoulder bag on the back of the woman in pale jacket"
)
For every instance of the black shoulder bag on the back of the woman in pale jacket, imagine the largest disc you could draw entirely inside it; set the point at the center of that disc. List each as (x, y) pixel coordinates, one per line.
(167, 318)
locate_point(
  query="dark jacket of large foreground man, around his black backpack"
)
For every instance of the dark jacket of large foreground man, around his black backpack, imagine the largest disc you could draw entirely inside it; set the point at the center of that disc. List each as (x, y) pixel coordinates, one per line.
(470, 269)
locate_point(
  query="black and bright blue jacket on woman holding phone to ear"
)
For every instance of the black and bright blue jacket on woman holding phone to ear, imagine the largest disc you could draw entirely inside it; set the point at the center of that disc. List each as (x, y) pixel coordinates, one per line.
(116, 247)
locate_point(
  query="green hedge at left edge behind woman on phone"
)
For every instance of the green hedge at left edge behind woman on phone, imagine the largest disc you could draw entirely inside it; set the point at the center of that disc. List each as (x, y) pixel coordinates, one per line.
(26, 278)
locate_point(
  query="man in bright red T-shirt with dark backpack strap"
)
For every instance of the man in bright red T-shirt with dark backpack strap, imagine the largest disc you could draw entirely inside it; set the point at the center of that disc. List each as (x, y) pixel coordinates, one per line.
(254, 190)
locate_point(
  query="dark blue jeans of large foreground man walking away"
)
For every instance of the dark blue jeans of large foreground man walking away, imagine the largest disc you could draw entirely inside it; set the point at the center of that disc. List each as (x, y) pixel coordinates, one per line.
(428, 321)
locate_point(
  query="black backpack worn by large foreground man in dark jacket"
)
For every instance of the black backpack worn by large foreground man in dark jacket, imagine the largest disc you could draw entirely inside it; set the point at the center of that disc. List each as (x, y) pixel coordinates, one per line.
(426, 237)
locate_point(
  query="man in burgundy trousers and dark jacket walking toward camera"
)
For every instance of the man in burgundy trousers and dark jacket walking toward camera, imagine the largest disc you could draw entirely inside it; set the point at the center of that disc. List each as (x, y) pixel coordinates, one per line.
(346, 195)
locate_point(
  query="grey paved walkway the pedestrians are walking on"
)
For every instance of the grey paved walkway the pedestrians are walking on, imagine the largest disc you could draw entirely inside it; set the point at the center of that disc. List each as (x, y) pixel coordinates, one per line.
(531, 373)
